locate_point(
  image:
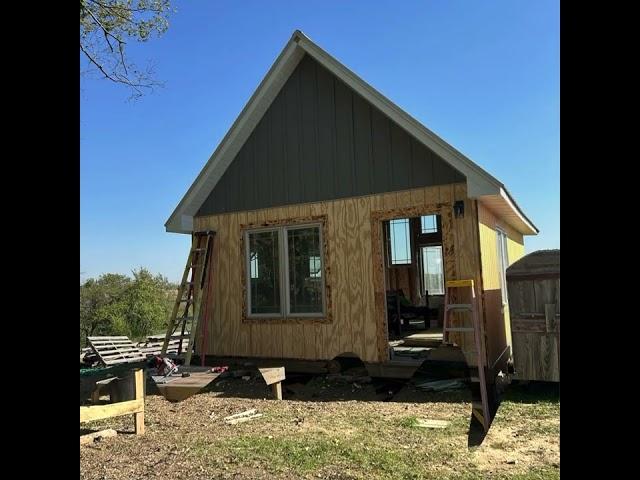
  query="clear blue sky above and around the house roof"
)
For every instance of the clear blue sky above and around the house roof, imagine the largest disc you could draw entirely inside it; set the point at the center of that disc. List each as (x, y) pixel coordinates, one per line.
(482, 75)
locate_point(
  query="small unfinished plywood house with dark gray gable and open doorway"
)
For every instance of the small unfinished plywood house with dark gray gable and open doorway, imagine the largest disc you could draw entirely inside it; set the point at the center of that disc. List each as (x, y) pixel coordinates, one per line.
(324, 196)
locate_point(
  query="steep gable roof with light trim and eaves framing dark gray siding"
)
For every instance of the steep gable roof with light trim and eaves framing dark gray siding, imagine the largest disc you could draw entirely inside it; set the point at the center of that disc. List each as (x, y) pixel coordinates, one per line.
(480, 184)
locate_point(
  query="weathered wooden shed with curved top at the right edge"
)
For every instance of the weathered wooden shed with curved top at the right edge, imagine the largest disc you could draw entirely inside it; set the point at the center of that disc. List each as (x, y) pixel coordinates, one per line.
(534, 301)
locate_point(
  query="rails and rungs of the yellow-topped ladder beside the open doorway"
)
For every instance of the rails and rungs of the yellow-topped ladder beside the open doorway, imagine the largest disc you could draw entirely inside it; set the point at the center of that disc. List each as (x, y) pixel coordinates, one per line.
(479, 409)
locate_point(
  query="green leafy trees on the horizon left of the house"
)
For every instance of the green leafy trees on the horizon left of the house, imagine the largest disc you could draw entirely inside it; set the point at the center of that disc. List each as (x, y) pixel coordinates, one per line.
(115, 304)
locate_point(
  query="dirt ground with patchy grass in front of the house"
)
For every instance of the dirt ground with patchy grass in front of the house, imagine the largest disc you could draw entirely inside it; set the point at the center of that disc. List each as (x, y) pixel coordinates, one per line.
(326, 429)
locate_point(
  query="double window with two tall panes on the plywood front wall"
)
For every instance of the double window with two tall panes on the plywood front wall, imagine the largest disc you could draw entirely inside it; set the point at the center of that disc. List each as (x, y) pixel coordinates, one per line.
(285, 272)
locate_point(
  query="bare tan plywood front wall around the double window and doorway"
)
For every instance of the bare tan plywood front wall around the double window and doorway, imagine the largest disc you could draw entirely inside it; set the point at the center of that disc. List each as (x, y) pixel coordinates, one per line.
(354, 326)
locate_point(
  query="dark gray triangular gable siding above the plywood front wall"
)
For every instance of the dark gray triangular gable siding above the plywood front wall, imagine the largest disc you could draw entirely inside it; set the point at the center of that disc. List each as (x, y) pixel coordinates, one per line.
(320, 140)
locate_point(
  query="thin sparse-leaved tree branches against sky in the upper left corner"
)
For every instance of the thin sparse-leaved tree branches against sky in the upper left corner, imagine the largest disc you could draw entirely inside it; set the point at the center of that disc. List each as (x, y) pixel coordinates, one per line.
(105, 28)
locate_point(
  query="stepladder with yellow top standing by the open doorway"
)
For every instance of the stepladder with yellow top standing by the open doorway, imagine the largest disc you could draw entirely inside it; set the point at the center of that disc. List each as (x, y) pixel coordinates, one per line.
(462, 321)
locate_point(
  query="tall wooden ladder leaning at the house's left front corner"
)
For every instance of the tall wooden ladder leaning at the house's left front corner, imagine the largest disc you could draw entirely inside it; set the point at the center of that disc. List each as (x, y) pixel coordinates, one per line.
(193, 285)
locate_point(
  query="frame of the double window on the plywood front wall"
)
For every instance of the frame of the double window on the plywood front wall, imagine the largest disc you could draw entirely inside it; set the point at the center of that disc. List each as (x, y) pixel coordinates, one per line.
(284, 280)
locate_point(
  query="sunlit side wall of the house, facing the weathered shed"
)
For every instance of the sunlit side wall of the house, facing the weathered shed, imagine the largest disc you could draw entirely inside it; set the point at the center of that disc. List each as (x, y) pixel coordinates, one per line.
(496, 318)
